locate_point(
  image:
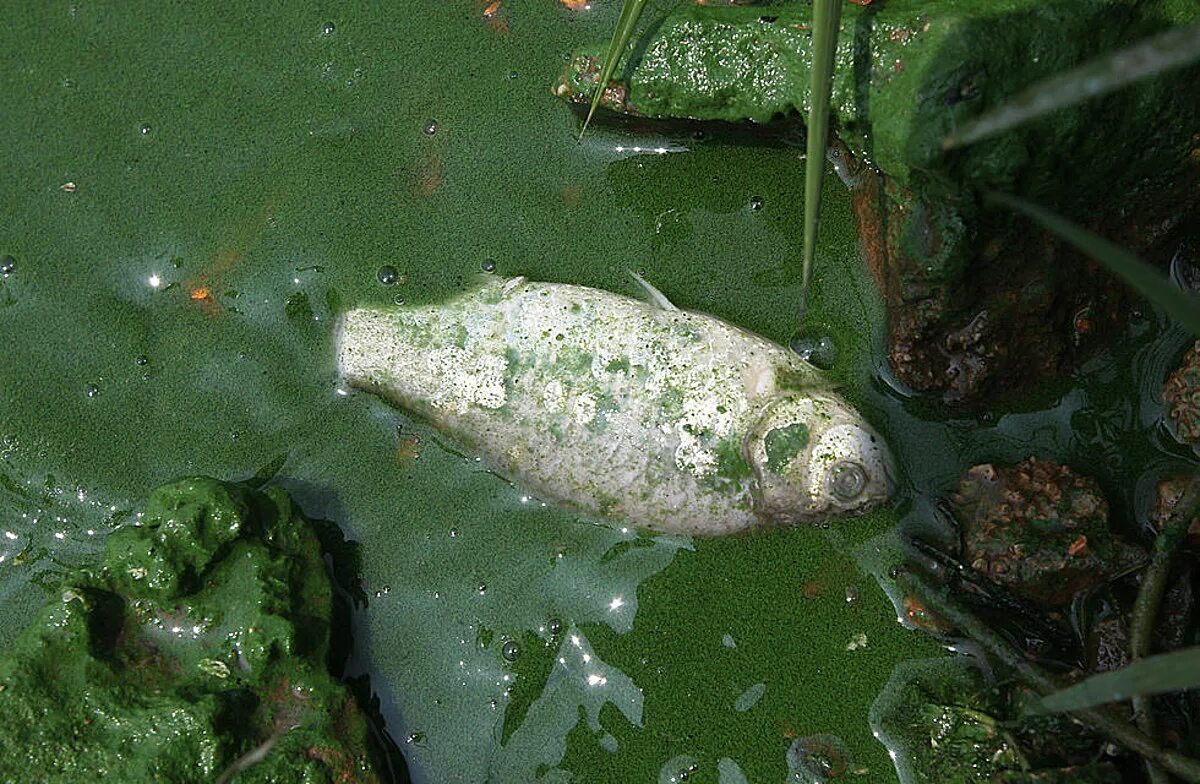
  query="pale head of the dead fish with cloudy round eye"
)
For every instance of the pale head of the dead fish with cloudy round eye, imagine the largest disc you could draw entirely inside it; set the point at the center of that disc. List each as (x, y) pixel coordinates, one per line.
(815, 458)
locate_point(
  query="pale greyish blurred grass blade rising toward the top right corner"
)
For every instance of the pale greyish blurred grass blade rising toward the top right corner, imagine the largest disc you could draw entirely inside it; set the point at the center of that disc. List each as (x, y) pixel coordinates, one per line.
(1171, 50)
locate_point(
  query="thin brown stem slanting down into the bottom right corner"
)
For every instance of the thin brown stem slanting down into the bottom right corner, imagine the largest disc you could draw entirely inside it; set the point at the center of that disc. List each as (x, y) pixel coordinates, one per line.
(1037, 679)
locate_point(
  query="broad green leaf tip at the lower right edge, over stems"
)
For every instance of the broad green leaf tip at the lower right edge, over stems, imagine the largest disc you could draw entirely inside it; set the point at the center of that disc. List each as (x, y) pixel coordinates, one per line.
(1173, 672)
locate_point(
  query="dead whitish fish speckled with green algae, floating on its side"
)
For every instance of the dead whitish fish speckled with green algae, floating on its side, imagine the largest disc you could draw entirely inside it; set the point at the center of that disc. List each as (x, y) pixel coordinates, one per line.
(675, 421)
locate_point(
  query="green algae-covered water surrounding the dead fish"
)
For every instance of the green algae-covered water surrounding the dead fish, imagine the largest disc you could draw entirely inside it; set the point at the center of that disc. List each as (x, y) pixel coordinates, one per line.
(275, 160)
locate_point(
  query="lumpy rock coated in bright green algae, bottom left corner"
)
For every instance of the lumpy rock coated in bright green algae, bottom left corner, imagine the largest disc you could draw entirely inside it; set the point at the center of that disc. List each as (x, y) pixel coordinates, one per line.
(196, 654)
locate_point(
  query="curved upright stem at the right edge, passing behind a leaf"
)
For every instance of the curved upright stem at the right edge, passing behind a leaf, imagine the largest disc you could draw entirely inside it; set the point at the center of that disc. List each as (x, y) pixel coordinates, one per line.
(1150, 597)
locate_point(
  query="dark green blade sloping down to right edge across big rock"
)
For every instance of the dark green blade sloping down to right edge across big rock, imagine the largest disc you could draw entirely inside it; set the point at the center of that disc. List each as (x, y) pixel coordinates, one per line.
(1138, 274)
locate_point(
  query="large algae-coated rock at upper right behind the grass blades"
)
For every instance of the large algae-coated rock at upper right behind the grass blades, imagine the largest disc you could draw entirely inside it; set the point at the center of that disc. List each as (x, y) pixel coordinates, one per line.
(979, 302)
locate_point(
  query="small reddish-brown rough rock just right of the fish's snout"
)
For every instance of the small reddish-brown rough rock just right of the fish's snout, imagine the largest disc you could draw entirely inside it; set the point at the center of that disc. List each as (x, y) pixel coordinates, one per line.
(1040, 530)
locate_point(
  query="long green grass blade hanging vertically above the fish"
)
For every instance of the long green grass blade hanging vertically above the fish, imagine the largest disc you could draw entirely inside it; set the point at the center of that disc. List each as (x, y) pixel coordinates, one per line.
(826, 20)
